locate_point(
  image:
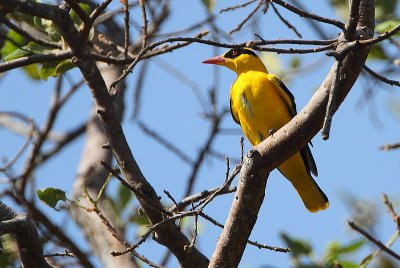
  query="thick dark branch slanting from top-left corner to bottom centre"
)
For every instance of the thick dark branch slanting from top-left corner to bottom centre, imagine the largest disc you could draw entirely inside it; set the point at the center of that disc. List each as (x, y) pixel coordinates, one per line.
(169, 234)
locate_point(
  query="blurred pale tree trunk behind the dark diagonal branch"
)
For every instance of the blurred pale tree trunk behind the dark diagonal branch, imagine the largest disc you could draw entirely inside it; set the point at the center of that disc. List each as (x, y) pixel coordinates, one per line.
(92, 176)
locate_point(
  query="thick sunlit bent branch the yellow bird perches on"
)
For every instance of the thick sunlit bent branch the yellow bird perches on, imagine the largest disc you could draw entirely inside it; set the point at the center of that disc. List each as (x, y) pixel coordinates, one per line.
(277, 148)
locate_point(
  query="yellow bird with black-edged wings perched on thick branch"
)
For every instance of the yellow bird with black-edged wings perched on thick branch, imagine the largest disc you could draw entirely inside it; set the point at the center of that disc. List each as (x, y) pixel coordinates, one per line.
(261, 103)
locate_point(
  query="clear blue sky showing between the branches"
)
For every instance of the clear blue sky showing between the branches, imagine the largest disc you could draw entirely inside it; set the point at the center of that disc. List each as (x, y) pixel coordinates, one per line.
(349, 163)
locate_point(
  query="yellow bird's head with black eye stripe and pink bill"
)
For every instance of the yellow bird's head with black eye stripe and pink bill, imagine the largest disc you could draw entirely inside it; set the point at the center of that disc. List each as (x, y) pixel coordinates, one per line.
(239, 60)
